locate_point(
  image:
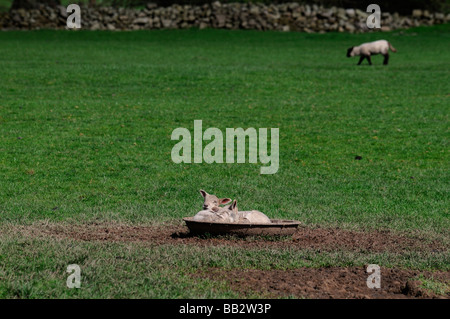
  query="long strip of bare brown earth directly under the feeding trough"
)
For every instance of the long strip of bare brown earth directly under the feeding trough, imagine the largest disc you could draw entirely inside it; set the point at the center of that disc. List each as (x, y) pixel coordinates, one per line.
(326, 239)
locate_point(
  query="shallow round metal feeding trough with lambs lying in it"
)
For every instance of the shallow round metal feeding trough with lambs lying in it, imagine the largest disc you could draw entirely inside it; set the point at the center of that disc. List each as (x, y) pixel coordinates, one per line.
(277, 227)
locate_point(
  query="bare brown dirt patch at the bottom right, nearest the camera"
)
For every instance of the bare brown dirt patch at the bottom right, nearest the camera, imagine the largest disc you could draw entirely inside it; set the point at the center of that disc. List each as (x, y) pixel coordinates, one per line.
(325, 283)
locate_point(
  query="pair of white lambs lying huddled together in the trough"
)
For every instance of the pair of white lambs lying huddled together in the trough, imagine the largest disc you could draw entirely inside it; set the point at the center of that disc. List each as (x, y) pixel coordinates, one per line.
(212, 212)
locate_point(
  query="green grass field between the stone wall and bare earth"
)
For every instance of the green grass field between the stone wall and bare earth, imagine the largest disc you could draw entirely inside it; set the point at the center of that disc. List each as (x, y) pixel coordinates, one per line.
(85, 126)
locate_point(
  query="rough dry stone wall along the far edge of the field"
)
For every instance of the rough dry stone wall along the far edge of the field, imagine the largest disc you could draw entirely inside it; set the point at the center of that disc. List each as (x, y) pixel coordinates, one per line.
(283, 17)
